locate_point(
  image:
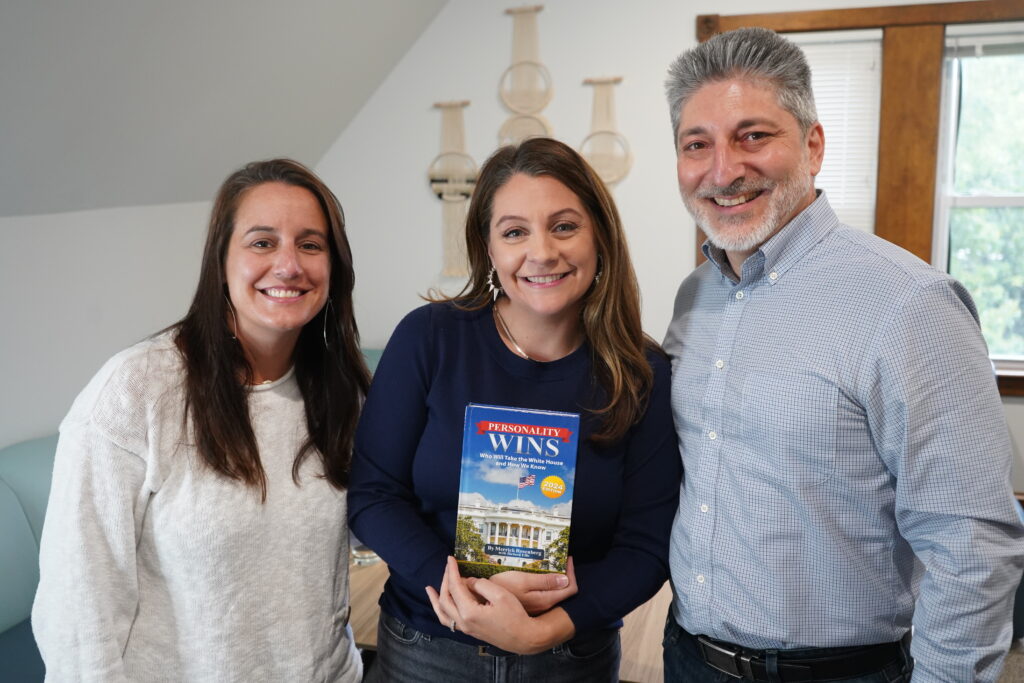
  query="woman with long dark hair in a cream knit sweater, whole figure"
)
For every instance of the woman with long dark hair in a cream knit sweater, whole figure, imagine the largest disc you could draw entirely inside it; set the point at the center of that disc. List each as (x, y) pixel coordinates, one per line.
(196, 528)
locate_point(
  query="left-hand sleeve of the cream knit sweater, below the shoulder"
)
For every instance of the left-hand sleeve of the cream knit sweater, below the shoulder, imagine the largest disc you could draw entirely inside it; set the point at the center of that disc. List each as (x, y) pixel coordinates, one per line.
(89, 588)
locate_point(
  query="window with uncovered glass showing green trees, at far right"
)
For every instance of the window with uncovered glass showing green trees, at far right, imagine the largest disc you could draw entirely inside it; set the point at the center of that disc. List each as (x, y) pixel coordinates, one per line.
(979, 216)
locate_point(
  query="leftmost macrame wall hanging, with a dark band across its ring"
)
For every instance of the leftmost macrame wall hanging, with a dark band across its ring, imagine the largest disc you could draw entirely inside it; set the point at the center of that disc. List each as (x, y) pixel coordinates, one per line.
(453, 175)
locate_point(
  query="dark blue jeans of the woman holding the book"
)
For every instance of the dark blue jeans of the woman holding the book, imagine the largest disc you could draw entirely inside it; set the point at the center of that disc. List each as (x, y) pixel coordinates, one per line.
(406, 656)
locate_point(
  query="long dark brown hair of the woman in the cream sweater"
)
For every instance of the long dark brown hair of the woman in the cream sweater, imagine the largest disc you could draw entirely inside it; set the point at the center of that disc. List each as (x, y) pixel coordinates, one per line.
(329, 366)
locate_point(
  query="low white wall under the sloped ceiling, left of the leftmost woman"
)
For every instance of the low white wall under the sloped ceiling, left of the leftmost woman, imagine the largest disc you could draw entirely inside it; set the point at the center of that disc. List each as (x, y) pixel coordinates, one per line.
(75, 288)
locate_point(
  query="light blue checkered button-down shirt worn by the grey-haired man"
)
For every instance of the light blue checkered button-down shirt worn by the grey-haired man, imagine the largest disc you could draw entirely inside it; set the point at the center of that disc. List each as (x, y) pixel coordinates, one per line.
(845, 450)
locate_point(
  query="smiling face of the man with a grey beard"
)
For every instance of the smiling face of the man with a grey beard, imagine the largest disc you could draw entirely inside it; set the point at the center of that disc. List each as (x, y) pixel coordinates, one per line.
(745, 167)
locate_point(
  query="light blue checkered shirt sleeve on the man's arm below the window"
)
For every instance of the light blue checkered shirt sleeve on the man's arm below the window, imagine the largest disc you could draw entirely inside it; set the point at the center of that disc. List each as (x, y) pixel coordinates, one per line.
(937, 420)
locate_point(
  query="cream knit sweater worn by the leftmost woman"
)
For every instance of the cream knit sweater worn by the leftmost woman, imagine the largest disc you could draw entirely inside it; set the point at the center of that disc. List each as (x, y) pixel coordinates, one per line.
(155, 569)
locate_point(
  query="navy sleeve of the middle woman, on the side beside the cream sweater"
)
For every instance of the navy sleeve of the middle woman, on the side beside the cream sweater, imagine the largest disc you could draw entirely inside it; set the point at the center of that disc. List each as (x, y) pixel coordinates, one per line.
(383, 506)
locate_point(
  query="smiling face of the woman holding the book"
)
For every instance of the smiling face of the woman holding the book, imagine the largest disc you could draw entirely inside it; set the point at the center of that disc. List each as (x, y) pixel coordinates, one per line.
(542, 246)
